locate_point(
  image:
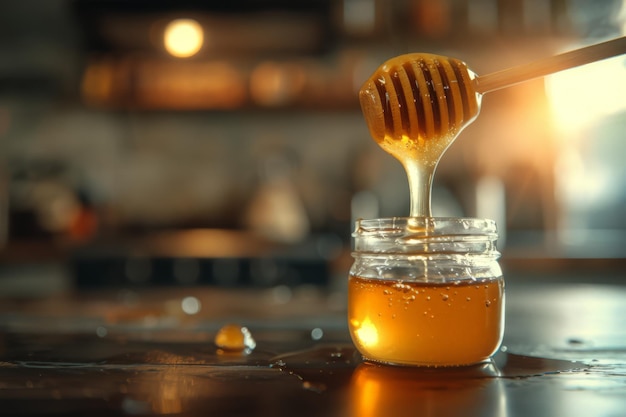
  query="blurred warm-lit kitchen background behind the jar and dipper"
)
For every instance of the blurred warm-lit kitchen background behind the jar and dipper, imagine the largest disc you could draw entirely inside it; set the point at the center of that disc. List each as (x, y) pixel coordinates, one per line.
(221, 143)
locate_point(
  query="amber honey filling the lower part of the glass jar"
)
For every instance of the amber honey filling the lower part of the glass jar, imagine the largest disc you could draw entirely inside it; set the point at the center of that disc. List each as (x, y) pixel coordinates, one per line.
(426, 324)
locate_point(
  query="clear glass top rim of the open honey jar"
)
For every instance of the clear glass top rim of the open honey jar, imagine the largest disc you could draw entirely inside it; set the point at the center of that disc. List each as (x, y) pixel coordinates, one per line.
(432, 226)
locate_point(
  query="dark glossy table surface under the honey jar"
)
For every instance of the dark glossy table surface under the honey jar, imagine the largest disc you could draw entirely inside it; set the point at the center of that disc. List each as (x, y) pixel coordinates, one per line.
(137, 353)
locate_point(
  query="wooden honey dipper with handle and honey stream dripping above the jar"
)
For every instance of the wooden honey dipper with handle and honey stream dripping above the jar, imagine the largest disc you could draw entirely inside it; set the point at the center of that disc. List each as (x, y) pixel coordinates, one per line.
(416, 104)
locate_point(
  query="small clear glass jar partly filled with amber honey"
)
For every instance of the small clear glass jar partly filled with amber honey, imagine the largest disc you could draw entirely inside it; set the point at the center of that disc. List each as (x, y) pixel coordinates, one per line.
(426, 291)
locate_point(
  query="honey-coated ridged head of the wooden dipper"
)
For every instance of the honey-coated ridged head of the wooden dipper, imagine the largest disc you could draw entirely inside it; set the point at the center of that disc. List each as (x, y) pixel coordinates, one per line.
(416, 104)
